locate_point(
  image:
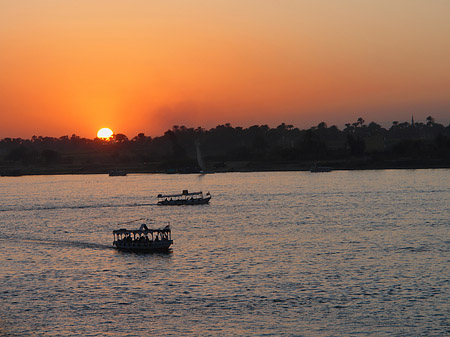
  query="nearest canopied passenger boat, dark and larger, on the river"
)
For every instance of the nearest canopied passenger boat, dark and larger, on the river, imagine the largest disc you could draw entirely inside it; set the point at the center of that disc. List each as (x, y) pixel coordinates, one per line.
(143, 240)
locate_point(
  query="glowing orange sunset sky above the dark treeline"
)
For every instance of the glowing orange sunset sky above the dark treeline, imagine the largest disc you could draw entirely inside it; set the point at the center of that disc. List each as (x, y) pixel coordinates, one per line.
(74, 66)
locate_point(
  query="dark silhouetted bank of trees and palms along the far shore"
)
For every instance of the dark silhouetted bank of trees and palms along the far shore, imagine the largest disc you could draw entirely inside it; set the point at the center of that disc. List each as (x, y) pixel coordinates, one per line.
(226, 148)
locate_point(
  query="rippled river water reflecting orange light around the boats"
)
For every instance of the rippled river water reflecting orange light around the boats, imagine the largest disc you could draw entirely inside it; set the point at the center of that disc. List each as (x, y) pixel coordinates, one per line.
(274, 254)
